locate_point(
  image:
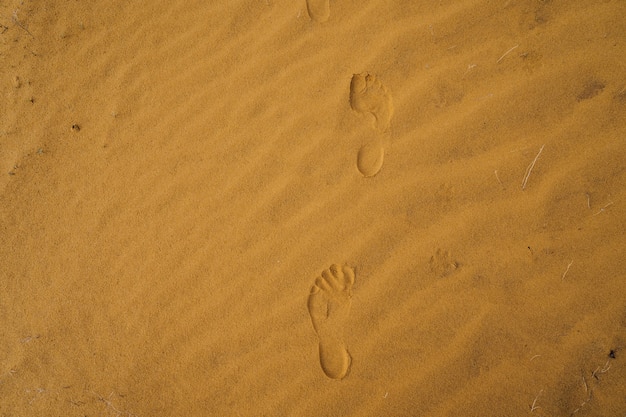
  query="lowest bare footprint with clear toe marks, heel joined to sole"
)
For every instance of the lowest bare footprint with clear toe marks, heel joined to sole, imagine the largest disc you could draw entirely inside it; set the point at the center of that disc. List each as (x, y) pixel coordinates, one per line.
(329, 307)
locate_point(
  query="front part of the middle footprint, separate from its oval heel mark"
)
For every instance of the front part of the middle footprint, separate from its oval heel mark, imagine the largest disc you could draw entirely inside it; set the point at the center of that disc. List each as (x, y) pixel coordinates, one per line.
(369, 95)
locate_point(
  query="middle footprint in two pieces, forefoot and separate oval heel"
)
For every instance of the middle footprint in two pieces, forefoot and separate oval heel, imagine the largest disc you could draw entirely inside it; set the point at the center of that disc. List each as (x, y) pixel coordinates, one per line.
(369, 96)
